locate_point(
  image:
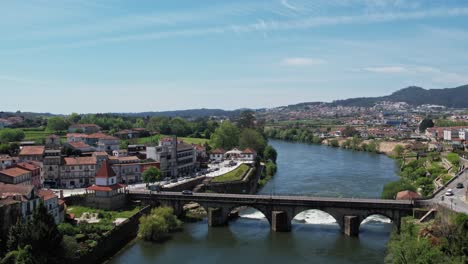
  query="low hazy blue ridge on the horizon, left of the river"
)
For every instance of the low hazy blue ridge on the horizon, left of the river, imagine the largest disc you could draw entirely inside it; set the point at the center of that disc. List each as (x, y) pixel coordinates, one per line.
(191, 113)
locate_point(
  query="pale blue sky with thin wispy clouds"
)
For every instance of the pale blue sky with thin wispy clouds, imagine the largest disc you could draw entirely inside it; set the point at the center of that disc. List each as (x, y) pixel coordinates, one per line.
(89, 56)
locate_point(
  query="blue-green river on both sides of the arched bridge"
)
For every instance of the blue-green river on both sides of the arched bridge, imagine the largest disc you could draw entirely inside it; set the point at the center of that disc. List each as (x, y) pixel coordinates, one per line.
(315, 238)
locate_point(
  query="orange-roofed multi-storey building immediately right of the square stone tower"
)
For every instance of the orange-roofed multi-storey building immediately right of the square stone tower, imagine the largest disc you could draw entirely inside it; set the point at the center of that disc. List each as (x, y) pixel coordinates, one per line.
(77, 172)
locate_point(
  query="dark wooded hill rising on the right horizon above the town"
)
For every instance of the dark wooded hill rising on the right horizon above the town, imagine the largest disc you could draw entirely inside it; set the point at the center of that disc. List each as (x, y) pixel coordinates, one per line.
(449, 97)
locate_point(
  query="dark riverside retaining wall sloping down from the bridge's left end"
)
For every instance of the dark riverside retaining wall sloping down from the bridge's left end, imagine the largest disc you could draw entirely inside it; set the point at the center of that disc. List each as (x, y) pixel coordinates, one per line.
(116, 239)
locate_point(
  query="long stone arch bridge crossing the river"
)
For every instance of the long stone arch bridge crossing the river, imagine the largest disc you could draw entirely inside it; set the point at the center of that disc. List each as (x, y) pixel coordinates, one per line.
(280, 210)
